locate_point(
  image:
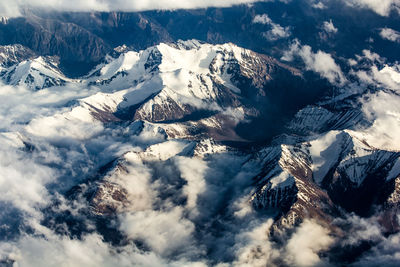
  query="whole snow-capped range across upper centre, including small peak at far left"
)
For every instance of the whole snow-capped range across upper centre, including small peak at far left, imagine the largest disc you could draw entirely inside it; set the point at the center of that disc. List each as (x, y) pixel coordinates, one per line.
(203, 89)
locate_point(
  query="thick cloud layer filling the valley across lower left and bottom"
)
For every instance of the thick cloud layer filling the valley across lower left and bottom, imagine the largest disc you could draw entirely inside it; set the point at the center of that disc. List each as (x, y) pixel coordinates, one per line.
(173, 216)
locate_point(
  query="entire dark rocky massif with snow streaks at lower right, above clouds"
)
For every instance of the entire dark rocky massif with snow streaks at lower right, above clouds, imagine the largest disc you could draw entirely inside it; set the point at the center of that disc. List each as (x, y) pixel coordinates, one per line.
(324, 177)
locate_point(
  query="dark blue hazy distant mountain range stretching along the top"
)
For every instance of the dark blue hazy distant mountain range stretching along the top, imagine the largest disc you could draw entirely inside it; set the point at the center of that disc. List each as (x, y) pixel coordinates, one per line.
(87, 38)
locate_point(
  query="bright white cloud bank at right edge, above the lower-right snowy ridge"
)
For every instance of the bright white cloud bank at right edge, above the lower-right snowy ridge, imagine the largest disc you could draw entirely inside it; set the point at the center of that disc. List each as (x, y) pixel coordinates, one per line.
(380, 107)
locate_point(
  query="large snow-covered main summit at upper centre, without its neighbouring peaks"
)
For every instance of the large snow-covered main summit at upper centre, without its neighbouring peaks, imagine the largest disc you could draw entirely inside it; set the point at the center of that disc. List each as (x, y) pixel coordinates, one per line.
(171, 81)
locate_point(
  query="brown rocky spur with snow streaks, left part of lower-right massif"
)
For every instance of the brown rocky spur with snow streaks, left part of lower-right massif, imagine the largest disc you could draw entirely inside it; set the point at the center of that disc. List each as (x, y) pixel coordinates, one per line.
(287, 185)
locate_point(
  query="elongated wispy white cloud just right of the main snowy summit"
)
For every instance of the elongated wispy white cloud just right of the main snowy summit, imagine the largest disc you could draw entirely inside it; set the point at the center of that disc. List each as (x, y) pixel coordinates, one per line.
(320, 62)
